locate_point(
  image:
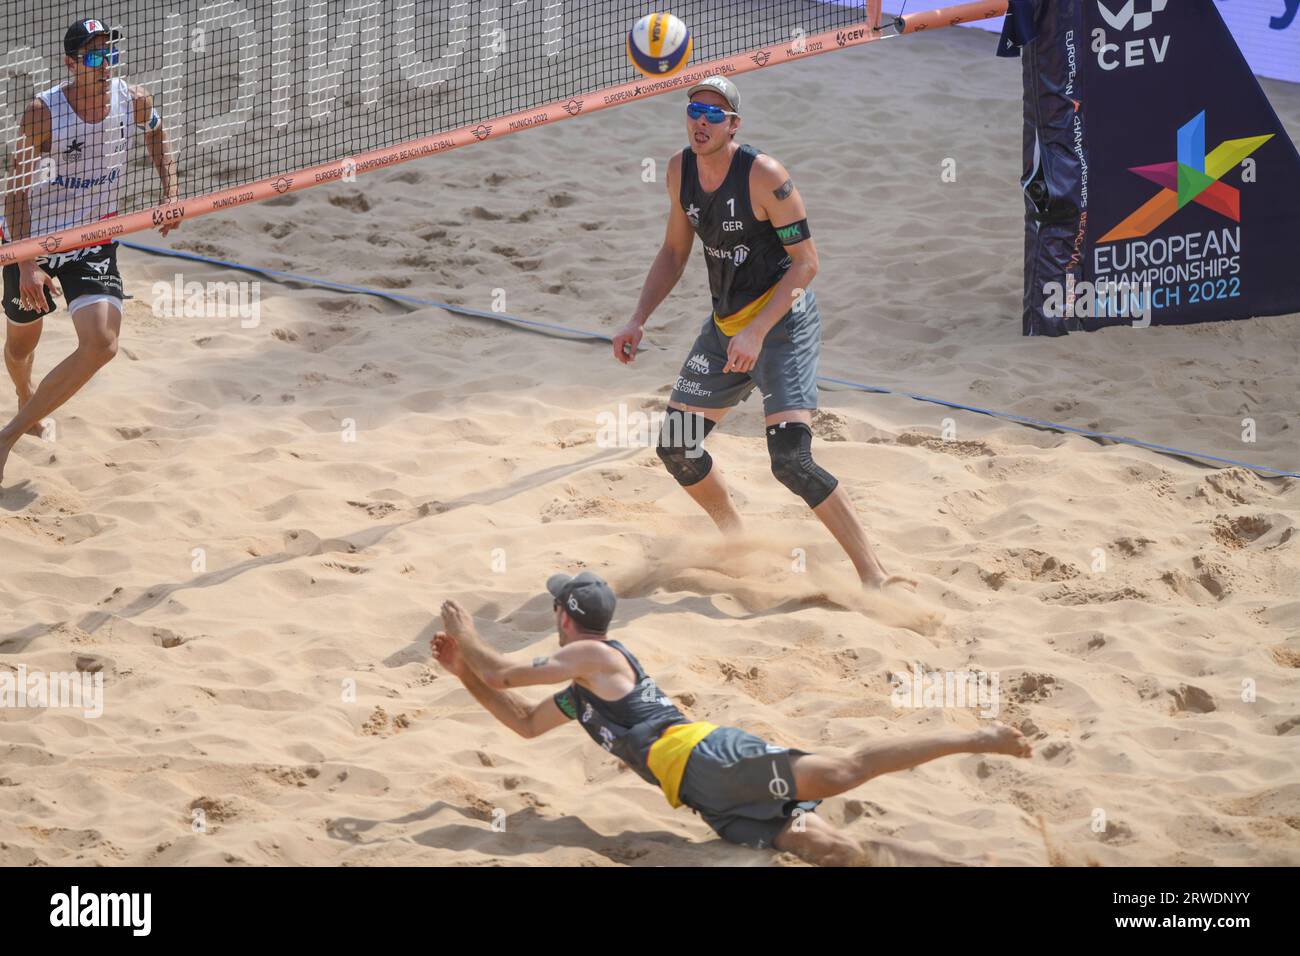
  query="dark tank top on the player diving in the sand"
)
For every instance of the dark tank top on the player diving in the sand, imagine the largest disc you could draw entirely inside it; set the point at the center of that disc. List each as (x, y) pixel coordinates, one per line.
(626, 728)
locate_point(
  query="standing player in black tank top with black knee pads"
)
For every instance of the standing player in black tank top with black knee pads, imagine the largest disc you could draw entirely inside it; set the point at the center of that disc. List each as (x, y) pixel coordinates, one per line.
(765, 331)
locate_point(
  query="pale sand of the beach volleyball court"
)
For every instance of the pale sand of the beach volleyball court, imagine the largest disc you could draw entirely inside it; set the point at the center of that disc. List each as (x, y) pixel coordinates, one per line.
(475, 474)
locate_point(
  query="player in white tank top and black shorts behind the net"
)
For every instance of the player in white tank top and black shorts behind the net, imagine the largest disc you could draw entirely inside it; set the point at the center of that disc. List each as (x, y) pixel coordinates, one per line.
(70, 170)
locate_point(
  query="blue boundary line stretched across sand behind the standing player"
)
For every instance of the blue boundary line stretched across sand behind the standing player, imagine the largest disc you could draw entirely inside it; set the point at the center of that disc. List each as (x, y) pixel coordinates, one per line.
(582, 334)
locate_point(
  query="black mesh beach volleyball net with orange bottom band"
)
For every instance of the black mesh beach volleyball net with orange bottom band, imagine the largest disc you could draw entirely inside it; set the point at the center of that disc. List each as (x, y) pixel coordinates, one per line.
(259, 98)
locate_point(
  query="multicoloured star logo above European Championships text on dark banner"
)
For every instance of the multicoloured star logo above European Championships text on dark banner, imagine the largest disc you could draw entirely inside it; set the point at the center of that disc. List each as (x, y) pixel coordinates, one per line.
(1194, 179)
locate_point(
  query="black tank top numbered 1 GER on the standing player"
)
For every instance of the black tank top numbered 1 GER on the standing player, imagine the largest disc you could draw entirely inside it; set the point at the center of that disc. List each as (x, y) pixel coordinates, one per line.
(744, 256)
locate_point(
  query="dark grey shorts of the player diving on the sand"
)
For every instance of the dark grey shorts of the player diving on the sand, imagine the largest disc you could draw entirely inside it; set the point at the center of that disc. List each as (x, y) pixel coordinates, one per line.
(743, 788)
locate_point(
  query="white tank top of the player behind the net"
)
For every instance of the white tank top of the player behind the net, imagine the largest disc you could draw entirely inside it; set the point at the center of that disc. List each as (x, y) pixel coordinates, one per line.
(89, 161)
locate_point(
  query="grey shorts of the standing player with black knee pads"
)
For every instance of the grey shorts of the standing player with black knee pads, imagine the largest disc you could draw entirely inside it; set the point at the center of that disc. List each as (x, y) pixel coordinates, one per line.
(786, 374)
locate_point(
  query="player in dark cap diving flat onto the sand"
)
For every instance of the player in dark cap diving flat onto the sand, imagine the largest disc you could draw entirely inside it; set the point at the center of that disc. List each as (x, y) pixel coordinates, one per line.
(748, 790)
